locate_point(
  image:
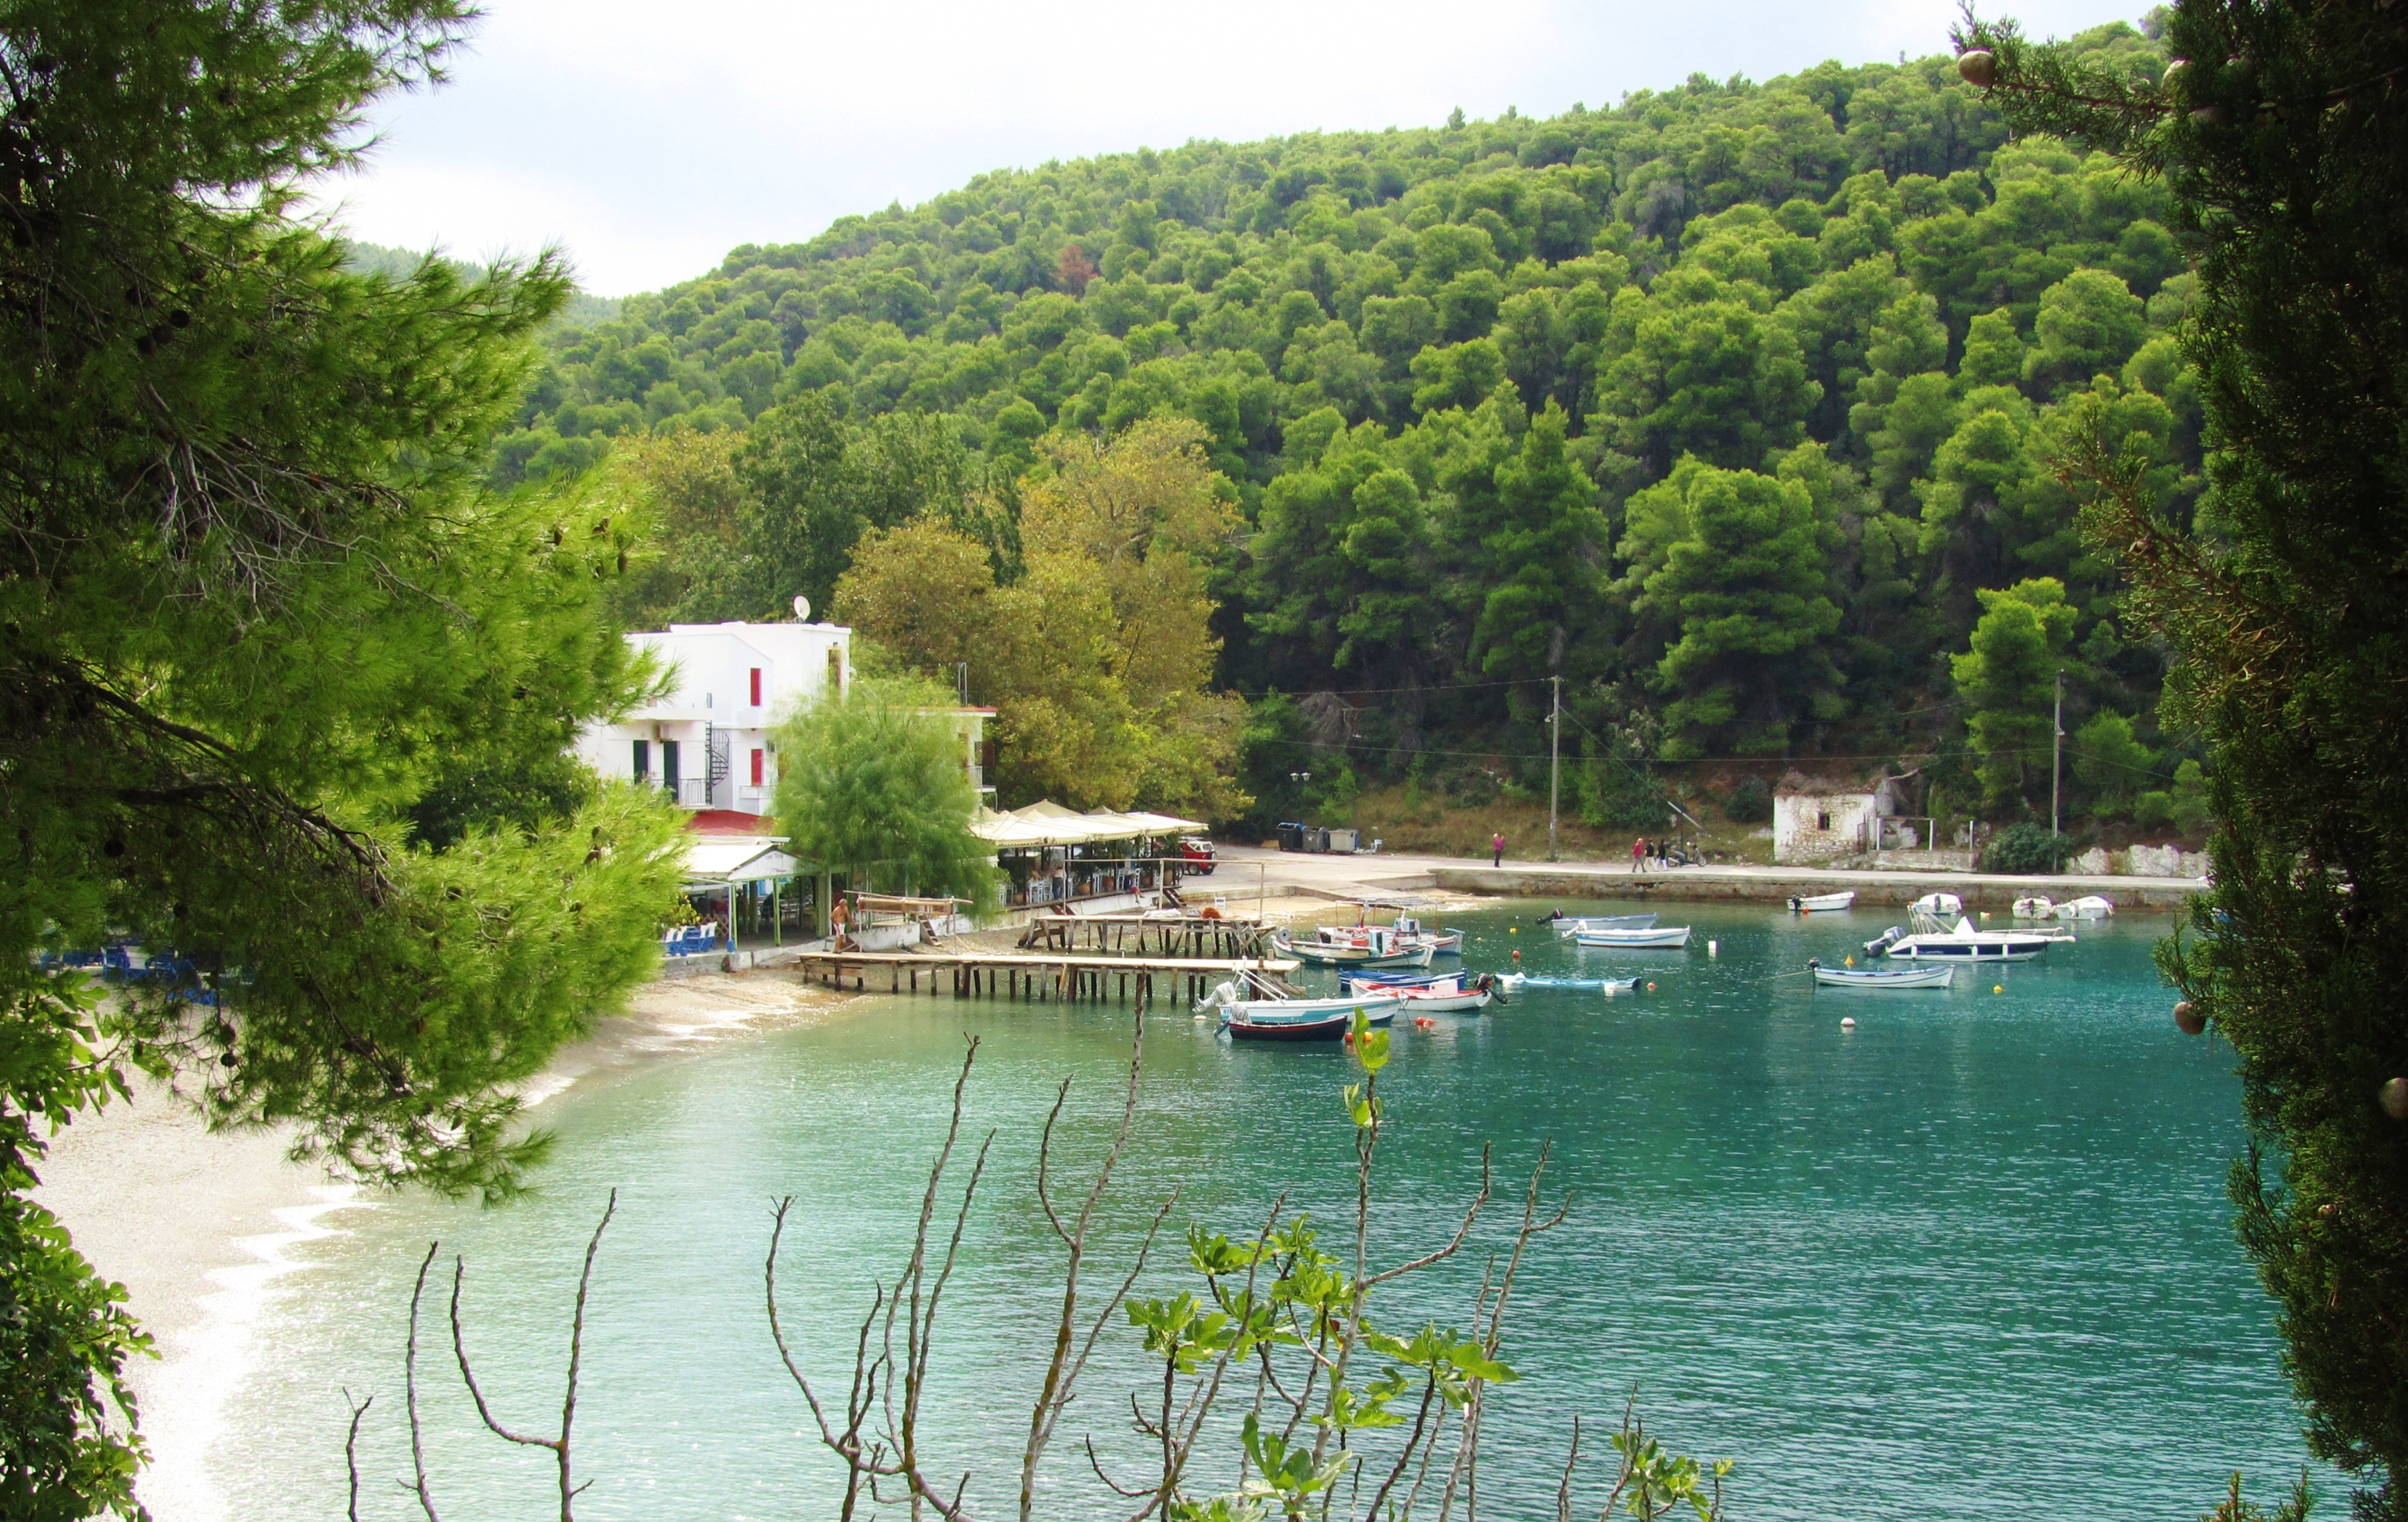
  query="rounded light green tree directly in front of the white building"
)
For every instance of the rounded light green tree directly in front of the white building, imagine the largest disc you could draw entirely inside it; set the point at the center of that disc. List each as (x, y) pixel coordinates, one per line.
(875, 784)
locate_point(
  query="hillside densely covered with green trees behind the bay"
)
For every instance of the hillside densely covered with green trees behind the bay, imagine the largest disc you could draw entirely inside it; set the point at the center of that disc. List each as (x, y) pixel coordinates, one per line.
(1733, 406)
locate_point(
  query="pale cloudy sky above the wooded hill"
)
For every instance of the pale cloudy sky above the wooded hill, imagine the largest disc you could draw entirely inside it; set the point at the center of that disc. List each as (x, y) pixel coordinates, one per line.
(649, 138)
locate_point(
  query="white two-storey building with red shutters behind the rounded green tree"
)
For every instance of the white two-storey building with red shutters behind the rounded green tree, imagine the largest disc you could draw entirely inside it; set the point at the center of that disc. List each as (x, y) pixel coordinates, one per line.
(709, 736)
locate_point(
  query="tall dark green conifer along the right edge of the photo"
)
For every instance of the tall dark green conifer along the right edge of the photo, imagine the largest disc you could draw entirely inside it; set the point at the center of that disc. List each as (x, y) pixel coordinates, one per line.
(2284, 138)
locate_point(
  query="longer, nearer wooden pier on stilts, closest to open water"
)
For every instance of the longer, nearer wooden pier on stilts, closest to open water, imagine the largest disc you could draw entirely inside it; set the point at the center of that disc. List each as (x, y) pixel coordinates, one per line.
(1037, 977)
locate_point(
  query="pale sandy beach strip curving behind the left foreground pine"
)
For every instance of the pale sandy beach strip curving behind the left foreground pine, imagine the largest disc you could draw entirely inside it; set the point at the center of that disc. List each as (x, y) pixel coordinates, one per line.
(201, 1227)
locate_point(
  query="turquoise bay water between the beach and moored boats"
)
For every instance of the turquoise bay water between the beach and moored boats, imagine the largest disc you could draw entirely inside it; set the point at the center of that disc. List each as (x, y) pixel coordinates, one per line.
(1966, 1261)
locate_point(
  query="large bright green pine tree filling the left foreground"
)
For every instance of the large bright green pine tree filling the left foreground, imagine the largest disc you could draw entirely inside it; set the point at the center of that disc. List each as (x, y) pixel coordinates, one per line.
(254, 608)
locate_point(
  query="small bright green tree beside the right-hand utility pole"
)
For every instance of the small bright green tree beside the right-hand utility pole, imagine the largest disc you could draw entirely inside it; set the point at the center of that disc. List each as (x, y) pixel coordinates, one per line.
(2007, 683)
